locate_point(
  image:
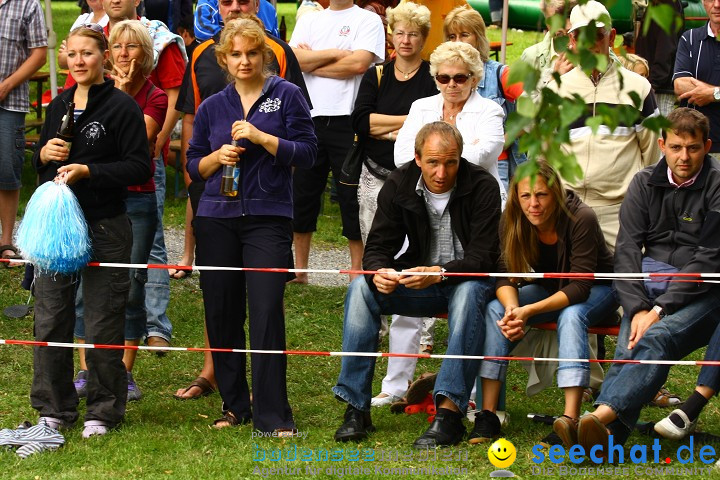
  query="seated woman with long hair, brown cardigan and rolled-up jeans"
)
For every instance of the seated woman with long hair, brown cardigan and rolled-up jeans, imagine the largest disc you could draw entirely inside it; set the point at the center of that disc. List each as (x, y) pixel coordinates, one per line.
(545, 229)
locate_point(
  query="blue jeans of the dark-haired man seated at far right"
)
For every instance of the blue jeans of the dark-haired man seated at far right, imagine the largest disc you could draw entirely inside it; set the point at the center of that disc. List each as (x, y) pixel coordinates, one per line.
(627, 387)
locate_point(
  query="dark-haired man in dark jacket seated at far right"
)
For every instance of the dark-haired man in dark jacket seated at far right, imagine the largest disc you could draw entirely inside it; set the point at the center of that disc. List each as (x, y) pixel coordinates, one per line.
(669, 222)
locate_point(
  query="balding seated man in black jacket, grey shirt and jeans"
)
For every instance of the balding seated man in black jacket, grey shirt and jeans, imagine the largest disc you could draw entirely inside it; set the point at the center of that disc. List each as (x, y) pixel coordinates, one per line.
(449, 211)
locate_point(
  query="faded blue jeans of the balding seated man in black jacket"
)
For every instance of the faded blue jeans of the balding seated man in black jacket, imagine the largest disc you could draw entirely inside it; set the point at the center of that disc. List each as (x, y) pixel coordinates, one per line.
(464, 303)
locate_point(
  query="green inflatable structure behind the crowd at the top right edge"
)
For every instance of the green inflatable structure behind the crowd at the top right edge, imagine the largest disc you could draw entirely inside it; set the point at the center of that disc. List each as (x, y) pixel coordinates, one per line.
(526, 14)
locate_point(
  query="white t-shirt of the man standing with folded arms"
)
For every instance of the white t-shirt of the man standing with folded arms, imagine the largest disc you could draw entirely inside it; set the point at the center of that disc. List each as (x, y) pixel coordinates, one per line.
(349, 29)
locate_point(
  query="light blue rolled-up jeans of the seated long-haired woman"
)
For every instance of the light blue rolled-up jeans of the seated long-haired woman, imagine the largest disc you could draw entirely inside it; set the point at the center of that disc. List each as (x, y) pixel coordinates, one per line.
(572, 325)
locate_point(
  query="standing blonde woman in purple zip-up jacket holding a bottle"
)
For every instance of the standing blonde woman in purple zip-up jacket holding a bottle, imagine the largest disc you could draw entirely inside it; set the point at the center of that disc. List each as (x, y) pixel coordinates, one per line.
(270, 122)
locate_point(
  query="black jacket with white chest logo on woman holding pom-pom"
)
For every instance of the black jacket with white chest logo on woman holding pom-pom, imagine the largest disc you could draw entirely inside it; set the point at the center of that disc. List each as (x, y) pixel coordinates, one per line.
(110, 138)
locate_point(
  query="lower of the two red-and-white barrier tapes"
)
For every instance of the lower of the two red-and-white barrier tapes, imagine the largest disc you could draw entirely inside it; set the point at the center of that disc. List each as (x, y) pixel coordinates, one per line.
(310, 353)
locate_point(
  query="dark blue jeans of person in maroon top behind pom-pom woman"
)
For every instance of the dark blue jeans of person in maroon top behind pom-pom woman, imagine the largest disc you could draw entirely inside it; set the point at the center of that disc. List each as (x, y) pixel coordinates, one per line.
(141, 210)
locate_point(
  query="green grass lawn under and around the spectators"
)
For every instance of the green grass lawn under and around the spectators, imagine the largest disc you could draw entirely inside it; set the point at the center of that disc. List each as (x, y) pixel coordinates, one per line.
(166, 438)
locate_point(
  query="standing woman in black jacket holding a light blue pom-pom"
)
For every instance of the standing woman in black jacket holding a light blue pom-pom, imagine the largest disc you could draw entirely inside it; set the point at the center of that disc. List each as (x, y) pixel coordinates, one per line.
(109, 151)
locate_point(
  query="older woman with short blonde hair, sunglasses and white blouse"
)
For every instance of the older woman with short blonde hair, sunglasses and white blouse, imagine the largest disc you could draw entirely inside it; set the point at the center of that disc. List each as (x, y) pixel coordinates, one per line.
(457, 69)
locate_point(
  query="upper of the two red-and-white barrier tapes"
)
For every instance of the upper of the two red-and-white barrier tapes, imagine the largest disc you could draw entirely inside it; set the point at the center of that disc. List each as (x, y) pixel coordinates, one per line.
(668, 277)
